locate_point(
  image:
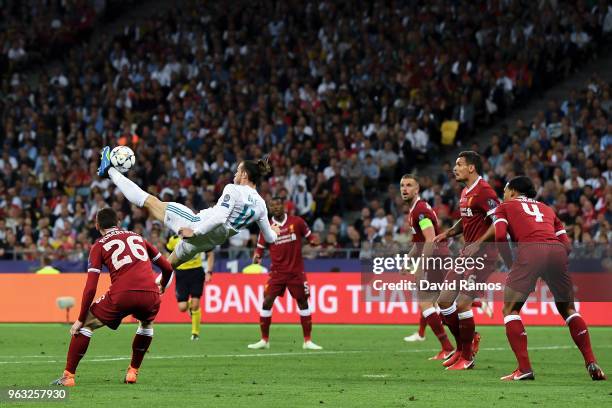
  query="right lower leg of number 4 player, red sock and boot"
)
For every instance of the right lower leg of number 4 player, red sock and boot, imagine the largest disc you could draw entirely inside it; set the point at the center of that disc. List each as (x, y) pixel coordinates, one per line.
(580, 335)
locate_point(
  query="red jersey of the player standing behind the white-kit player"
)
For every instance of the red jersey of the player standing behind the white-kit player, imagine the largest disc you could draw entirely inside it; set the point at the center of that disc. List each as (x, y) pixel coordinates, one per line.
(286, 252)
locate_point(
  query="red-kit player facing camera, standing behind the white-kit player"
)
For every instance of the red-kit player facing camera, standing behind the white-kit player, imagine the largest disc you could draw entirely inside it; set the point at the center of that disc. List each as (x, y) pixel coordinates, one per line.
(286, 272)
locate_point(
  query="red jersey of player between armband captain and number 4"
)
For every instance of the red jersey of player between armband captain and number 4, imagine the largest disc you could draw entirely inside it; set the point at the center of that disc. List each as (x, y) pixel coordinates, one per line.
(477, 205)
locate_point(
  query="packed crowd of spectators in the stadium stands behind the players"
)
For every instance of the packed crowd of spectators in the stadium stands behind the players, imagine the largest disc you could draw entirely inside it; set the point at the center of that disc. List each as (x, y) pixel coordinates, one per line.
(343, 97)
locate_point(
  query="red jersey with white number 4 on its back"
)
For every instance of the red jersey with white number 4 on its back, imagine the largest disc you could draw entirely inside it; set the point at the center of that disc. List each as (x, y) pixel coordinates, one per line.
(529, 220)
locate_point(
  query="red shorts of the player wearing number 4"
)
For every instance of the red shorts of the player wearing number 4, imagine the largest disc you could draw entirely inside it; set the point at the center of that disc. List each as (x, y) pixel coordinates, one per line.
(548, 262)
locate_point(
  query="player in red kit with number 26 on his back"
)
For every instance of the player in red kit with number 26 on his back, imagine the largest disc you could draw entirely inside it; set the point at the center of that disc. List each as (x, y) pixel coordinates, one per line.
(133, 291)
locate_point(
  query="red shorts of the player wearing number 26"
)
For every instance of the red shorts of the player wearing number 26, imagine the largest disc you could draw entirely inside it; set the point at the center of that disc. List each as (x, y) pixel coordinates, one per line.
(111, 308)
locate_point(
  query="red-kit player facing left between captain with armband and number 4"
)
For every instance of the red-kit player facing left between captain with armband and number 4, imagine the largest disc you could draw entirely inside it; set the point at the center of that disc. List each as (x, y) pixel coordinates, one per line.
(477, 204)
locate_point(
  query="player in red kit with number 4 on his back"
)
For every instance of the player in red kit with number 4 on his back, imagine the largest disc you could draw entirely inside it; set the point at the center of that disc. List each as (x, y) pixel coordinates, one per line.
(542, 253)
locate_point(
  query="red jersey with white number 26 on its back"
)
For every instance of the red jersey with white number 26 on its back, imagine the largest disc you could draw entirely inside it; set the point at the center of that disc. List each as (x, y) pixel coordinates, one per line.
(128, 258)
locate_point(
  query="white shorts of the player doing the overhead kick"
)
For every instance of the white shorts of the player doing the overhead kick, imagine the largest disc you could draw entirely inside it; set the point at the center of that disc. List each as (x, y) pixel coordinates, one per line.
(179, 216)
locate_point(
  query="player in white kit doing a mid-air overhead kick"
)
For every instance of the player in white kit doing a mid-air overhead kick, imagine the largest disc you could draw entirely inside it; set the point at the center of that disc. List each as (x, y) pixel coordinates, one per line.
(239, 206)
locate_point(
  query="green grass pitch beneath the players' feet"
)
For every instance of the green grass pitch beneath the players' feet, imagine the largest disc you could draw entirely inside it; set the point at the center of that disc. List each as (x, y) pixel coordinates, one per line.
(361, 366)
